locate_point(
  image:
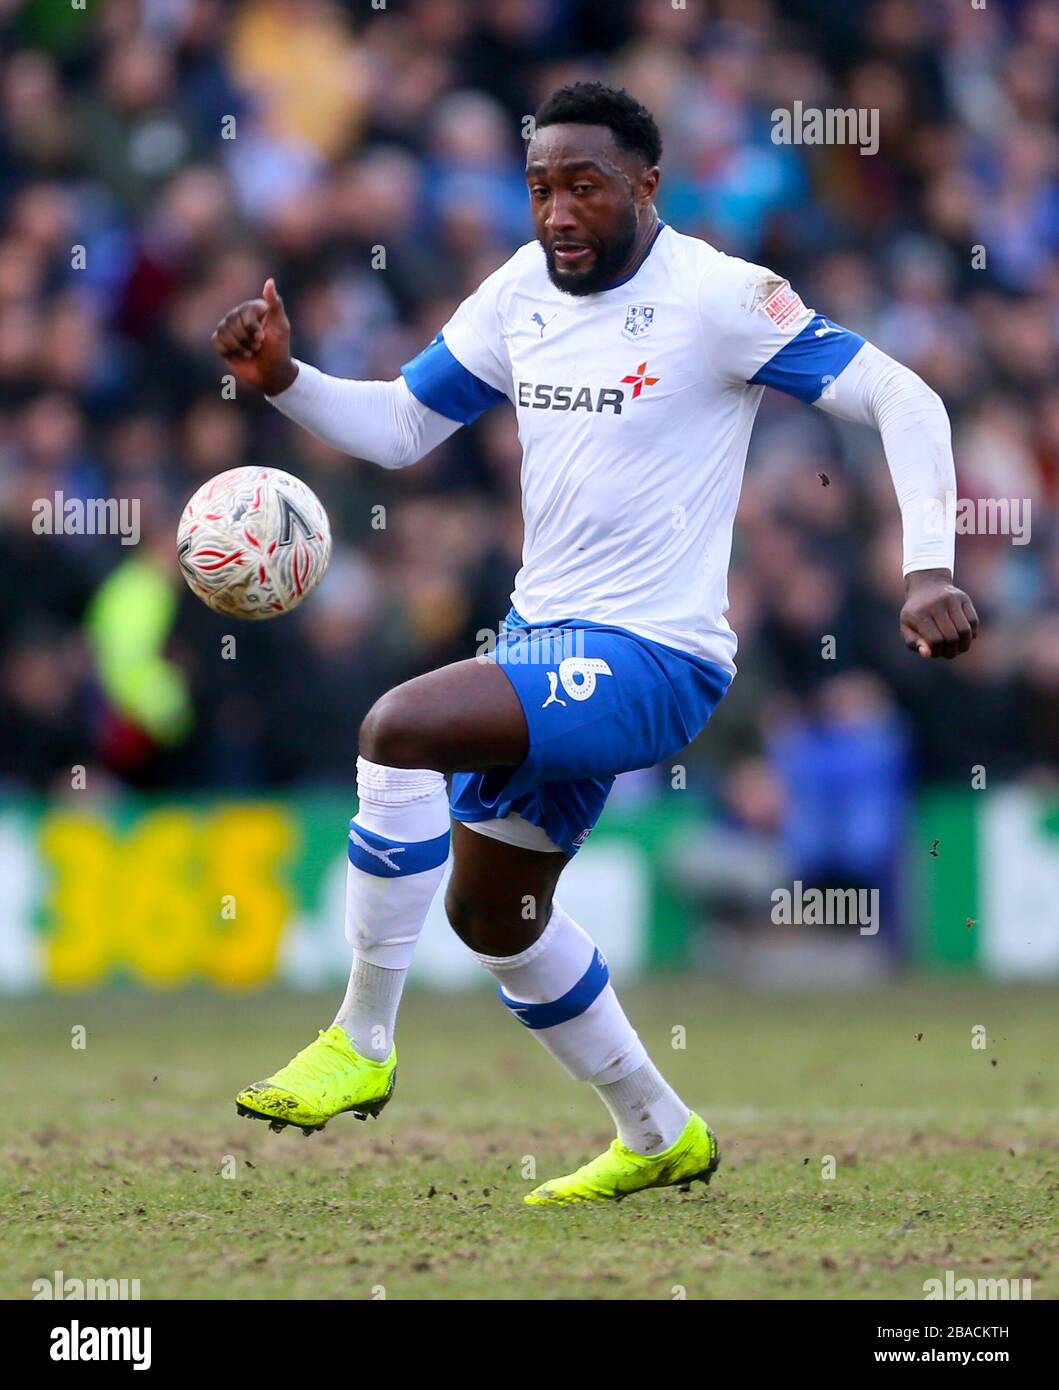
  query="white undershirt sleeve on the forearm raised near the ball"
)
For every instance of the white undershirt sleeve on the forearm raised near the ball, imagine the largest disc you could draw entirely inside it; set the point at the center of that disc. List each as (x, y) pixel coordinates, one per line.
(377, 420)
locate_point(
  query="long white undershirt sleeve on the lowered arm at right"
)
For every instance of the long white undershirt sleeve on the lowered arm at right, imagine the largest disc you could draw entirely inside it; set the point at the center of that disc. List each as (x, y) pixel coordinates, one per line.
(918, 443)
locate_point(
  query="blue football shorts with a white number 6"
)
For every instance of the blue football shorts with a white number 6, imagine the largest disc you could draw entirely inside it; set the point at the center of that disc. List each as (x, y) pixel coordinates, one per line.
(598, 701)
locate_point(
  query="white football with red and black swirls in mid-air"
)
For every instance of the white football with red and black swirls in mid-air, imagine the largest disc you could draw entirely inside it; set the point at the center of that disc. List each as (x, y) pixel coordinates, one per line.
(254, 543)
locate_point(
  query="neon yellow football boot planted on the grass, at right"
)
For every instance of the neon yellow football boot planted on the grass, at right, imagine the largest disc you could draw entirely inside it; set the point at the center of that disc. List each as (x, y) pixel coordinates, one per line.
(621, 1171)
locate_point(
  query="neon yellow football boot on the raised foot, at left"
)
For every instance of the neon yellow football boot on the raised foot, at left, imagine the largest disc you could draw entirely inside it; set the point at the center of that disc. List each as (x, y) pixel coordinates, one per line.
(326, 1079)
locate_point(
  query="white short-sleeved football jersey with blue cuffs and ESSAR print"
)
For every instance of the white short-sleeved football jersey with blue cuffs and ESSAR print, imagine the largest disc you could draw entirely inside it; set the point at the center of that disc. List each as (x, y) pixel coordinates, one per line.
(634, 409)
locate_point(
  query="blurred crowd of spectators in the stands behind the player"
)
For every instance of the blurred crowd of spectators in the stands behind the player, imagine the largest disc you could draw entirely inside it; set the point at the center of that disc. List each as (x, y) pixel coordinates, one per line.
(161, 159)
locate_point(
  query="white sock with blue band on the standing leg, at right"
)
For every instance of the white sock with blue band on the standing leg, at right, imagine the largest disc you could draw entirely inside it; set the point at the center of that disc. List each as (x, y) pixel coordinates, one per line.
(561, 990)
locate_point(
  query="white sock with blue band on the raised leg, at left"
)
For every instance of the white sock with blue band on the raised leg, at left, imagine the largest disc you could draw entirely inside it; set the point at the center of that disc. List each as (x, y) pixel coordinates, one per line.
(398, 847)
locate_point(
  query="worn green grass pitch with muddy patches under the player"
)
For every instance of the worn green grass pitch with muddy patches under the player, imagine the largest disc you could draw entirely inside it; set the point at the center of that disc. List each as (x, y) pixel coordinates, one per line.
(946, 1157)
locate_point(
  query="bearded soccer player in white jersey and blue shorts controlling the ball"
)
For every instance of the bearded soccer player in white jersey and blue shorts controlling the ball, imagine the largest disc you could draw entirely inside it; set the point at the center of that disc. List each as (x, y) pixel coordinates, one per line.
(636, 359)
